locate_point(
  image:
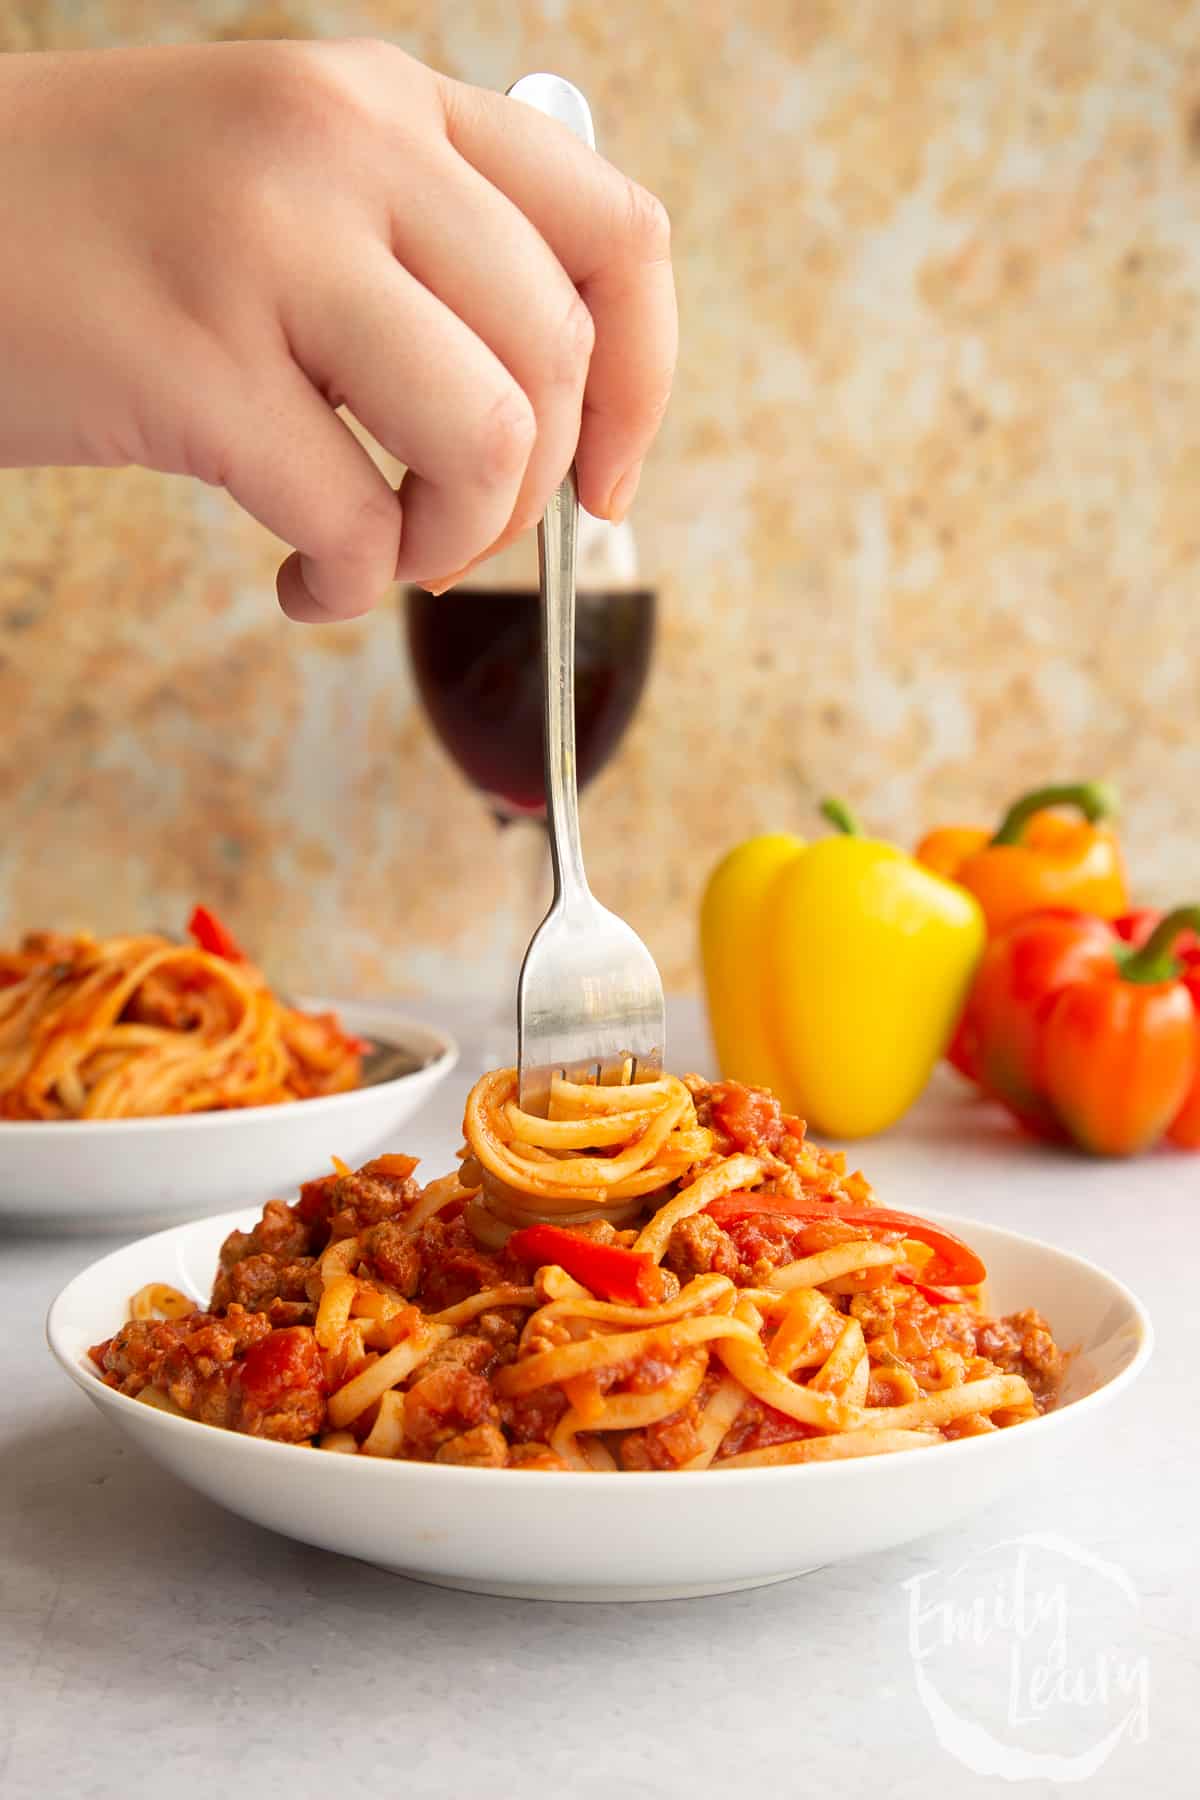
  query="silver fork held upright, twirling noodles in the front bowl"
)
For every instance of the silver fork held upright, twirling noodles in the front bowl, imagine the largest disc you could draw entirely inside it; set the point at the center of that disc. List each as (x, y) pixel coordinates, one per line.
(589, 996)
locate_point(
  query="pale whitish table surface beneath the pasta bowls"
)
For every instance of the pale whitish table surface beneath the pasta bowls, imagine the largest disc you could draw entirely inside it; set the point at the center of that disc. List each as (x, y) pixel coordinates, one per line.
(154, 1644)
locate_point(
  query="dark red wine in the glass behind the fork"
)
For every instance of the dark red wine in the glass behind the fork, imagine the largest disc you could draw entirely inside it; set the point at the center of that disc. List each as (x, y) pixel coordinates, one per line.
(478, 660)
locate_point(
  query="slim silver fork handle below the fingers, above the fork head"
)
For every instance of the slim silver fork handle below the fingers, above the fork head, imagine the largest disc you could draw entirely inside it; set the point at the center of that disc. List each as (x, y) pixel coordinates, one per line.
(557, 566)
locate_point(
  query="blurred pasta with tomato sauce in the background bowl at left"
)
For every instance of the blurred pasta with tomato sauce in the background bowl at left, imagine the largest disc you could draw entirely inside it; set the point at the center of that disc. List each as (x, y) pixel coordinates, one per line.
(103, 1029)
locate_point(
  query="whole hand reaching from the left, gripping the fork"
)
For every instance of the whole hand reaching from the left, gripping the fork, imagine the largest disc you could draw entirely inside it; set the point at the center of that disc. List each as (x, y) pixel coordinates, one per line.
(211, 249)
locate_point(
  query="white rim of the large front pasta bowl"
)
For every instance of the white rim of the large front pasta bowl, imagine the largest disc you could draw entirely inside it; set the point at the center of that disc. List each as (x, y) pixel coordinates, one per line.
(395, 1470)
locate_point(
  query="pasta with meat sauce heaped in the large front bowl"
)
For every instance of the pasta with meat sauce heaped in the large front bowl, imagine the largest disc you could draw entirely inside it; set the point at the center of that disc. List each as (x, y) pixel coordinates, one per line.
(654, 1277)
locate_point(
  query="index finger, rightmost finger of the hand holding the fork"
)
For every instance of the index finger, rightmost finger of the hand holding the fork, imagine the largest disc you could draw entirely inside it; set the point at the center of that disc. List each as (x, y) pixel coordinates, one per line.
(613, 238)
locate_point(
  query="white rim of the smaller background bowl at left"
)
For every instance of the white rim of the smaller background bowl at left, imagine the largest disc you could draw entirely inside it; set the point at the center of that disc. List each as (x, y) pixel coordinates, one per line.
(443, 1061)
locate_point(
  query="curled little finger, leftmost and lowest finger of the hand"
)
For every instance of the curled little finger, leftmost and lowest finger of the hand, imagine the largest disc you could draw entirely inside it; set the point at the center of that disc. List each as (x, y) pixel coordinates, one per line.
(305, 476)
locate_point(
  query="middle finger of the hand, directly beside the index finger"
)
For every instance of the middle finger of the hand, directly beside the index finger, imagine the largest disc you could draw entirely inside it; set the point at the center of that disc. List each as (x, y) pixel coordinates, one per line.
(472, 247)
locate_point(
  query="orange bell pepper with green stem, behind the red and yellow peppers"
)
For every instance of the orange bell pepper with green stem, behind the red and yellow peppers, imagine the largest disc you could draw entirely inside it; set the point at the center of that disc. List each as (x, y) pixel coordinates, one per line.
(1037, 859)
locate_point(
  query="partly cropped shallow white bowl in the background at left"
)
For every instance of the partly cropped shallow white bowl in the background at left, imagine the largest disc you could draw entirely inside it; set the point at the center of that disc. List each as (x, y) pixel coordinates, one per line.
(112, 1174)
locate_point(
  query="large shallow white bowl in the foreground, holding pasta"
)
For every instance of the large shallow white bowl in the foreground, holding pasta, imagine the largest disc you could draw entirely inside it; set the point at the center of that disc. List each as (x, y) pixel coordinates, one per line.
(613, 1536)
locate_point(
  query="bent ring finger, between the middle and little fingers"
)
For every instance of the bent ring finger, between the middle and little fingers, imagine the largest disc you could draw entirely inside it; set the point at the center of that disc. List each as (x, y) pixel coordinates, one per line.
(429, 390)
